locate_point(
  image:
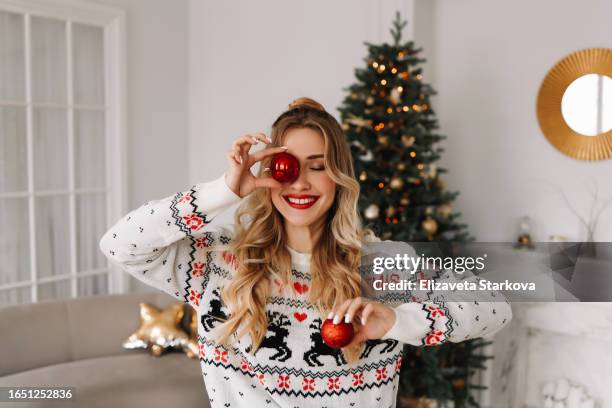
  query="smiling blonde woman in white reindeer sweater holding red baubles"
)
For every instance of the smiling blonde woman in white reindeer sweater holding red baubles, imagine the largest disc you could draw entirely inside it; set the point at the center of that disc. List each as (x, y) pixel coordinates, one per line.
(263, 287)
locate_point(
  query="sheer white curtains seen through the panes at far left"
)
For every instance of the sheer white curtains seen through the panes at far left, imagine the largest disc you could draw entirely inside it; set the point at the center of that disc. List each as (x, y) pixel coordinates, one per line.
(51, 158)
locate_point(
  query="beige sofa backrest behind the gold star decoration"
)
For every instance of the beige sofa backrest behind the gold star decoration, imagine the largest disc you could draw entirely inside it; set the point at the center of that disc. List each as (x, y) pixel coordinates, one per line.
(53, 332)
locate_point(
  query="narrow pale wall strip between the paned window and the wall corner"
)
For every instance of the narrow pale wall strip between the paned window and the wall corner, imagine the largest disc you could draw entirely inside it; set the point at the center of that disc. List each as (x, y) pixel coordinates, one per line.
(157, 49)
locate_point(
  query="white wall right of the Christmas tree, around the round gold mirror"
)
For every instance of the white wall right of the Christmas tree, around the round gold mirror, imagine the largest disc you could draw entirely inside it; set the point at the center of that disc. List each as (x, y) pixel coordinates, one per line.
(488, 60)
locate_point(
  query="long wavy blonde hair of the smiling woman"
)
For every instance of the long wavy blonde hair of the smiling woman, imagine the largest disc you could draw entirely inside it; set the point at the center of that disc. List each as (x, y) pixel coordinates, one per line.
(259, 244)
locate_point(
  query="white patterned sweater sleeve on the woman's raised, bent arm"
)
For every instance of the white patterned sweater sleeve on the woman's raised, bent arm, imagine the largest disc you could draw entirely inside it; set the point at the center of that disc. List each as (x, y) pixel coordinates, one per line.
(158, 242)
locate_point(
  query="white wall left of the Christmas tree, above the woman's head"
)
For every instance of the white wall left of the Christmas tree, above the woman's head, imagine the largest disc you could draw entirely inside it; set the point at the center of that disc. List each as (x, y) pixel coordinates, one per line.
(249, 60)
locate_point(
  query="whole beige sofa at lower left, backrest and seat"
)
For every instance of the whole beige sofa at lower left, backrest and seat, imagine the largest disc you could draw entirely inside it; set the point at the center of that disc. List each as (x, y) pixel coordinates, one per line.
(77, 343)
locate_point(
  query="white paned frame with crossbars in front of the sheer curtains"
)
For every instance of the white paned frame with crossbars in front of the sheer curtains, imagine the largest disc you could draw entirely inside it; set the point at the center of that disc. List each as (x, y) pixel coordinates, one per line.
(113, 22)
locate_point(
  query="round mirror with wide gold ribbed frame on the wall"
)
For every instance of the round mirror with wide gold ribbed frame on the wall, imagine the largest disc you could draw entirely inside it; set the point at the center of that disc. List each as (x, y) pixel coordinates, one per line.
(575, 104)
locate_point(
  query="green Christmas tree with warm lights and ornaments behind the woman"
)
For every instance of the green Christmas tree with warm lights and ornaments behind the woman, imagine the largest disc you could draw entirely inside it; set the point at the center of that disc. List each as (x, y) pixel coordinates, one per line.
(390, 124)
